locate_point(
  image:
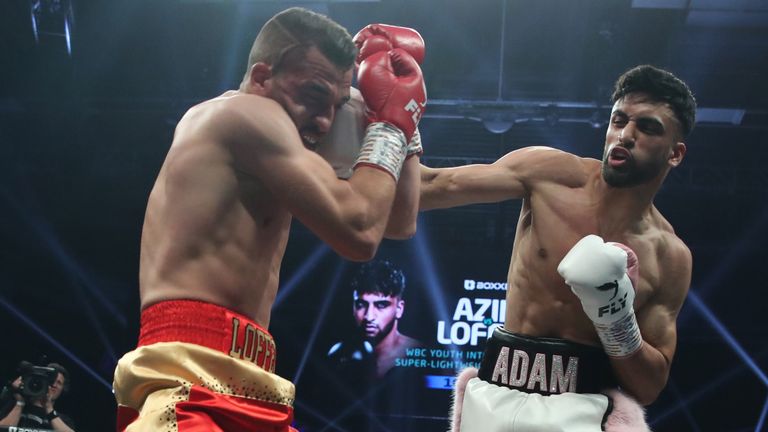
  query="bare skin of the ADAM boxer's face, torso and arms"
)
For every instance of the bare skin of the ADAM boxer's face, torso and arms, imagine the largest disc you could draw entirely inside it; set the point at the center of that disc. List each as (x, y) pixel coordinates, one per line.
(566, 197)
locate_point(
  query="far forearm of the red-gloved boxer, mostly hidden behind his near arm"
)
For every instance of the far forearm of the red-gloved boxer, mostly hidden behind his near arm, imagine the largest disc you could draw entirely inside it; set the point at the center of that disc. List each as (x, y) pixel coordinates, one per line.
(402, 220)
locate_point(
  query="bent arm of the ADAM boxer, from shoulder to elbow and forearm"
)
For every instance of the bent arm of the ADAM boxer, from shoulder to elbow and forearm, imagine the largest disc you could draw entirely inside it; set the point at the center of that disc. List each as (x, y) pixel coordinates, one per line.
(645, 373)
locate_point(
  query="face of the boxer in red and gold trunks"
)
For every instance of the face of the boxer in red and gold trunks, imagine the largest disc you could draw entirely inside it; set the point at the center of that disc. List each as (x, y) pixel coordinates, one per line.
(310, 88)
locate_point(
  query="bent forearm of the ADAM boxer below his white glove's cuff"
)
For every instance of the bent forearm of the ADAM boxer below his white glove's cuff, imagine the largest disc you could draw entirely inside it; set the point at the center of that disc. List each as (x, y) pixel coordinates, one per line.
(644, 374)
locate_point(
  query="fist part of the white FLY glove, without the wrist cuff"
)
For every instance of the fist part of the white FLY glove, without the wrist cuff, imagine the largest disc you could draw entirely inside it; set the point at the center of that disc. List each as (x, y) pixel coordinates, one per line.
(597, 273)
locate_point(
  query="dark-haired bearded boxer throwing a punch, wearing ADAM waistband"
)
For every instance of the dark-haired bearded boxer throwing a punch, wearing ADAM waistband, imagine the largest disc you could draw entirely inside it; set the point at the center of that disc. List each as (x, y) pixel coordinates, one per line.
(577, 326)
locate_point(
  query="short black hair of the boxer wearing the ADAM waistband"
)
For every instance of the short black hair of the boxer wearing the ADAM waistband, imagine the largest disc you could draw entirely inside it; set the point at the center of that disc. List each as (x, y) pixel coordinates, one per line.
(661, 86)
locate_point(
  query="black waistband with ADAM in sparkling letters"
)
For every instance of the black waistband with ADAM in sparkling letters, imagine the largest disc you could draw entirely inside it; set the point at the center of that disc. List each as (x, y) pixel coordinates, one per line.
(544, 365)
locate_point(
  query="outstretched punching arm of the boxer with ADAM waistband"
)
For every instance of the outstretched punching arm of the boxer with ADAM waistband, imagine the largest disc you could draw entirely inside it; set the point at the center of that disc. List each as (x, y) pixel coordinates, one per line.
(512, 176)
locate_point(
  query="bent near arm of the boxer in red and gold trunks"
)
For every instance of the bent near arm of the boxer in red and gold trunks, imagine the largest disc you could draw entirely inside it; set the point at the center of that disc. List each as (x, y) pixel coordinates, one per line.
(348, 215)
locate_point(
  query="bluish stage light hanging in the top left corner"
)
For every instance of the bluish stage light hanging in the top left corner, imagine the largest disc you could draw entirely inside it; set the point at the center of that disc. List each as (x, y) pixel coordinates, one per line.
(52, 22)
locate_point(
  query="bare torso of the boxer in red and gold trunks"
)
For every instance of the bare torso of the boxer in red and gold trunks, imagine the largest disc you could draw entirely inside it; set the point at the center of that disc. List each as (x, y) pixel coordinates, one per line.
(211, 233)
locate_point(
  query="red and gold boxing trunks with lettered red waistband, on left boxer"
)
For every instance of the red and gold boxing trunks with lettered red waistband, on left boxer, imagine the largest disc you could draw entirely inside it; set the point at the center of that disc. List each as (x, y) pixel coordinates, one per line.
(201, 367)
